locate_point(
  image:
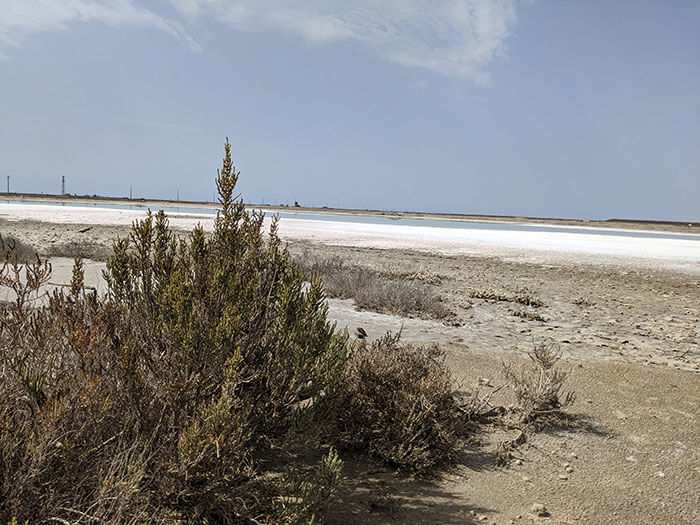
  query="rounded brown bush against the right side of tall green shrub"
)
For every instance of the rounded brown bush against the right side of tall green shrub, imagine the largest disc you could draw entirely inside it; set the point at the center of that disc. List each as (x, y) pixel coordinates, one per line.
(396, 402)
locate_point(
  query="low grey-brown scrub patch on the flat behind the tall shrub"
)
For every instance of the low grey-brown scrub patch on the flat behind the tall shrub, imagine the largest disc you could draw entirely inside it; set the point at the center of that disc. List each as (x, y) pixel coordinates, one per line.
(374, 291)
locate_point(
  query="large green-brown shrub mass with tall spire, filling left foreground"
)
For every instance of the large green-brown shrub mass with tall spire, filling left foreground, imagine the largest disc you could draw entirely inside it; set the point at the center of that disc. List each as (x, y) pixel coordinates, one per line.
(173, 398)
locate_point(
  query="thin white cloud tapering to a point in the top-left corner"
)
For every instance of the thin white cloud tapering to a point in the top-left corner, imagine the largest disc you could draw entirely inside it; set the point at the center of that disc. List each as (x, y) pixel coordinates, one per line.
(19, 19)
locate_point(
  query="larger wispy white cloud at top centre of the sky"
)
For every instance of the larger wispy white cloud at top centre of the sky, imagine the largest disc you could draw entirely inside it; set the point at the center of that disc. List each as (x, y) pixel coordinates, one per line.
(450, 37)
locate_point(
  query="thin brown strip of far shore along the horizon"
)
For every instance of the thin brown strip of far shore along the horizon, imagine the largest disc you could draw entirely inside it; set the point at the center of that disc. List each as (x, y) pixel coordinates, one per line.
(622, 224)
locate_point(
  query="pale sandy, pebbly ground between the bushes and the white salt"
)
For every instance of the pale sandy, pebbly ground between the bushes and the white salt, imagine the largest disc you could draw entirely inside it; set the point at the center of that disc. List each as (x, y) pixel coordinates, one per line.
(629, 334)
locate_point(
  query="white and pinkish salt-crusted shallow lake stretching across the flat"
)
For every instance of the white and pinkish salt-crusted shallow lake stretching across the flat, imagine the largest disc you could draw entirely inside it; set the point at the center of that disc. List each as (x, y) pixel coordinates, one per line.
(526, 242)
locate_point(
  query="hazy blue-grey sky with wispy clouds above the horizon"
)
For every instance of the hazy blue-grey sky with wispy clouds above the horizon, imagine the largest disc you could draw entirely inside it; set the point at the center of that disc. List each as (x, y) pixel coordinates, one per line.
(546, 108)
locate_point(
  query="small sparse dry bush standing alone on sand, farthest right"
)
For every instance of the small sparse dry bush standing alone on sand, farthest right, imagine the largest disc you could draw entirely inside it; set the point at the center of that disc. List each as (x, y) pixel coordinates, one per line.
(537, 387)
